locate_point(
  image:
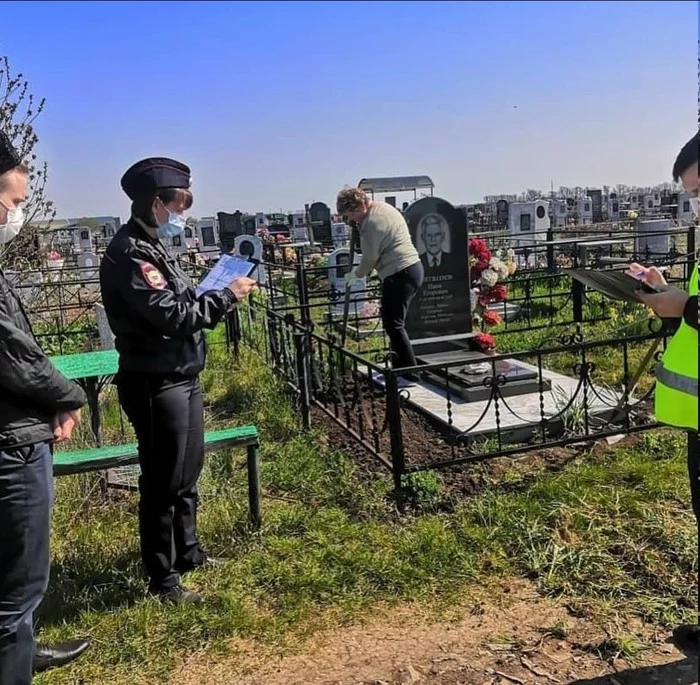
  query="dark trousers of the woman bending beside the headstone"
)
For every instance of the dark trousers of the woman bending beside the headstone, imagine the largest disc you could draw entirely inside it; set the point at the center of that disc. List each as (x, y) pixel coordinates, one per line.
(398, 292)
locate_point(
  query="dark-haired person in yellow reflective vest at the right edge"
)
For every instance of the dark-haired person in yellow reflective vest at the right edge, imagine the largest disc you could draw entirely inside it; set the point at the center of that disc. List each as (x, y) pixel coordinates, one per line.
(677, 373)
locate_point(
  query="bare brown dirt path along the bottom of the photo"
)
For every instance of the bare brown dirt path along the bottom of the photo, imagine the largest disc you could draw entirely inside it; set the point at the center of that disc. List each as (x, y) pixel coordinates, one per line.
(518, 639)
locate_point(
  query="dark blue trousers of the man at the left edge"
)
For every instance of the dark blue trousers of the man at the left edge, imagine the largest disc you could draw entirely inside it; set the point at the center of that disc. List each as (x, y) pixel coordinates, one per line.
(26, 495)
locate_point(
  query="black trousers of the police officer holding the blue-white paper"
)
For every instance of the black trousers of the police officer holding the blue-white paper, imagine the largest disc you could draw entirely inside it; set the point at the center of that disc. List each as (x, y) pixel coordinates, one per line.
(168, 417)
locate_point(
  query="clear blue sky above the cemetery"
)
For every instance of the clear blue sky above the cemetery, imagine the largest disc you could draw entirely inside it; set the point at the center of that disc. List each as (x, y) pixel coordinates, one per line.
(276, 104)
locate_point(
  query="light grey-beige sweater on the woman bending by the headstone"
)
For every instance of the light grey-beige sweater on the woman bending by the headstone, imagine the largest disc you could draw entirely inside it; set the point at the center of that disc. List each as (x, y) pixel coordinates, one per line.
(386, 242)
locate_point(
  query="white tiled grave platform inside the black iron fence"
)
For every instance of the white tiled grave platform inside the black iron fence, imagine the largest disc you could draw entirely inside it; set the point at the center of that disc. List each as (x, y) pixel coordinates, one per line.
(520, 411)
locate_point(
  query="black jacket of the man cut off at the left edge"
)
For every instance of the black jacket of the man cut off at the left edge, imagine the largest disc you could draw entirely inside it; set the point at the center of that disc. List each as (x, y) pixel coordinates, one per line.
(32, 391)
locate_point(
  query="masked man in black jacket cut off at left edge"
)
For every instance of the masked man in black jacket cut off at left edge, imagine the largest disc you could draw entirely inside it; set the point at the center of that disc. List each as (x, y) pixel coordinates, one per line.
(38, 406)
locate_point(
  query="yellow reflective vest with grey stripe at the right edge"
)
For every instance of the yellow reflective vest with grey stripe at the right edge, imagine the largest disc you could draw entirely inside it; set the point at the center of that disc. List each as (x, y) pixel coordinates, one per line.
(677, 375)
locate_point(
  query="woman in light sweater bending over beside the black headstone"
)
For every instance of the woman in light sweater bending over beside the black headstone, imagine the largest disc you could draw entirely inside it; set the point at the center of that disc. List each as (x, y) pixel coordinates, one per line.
(387, 247)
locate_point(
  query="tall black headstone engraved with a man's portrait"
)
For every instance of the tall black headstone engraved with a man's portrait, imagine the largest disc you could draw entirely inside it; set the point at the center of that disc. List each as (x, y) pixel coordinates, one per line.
(443, 306)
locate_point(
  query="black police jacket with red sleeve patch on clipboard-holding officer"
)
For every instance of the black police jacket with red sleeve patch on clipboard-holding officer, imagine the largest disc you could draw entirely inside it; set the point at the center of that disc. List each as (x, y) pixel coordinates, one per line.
(152, 307)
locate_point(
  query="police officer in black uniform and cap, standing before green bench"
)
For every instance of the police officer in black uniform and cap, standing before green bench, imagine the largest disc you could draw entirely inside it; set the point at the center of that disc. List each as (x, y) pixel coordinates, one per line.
(158, 321)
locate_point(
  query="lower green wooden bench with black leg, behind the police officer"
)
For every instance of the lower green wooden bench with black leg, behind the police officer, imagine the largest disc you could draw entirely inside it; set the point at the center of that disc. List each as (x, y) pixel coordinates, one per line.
(113, 456)
